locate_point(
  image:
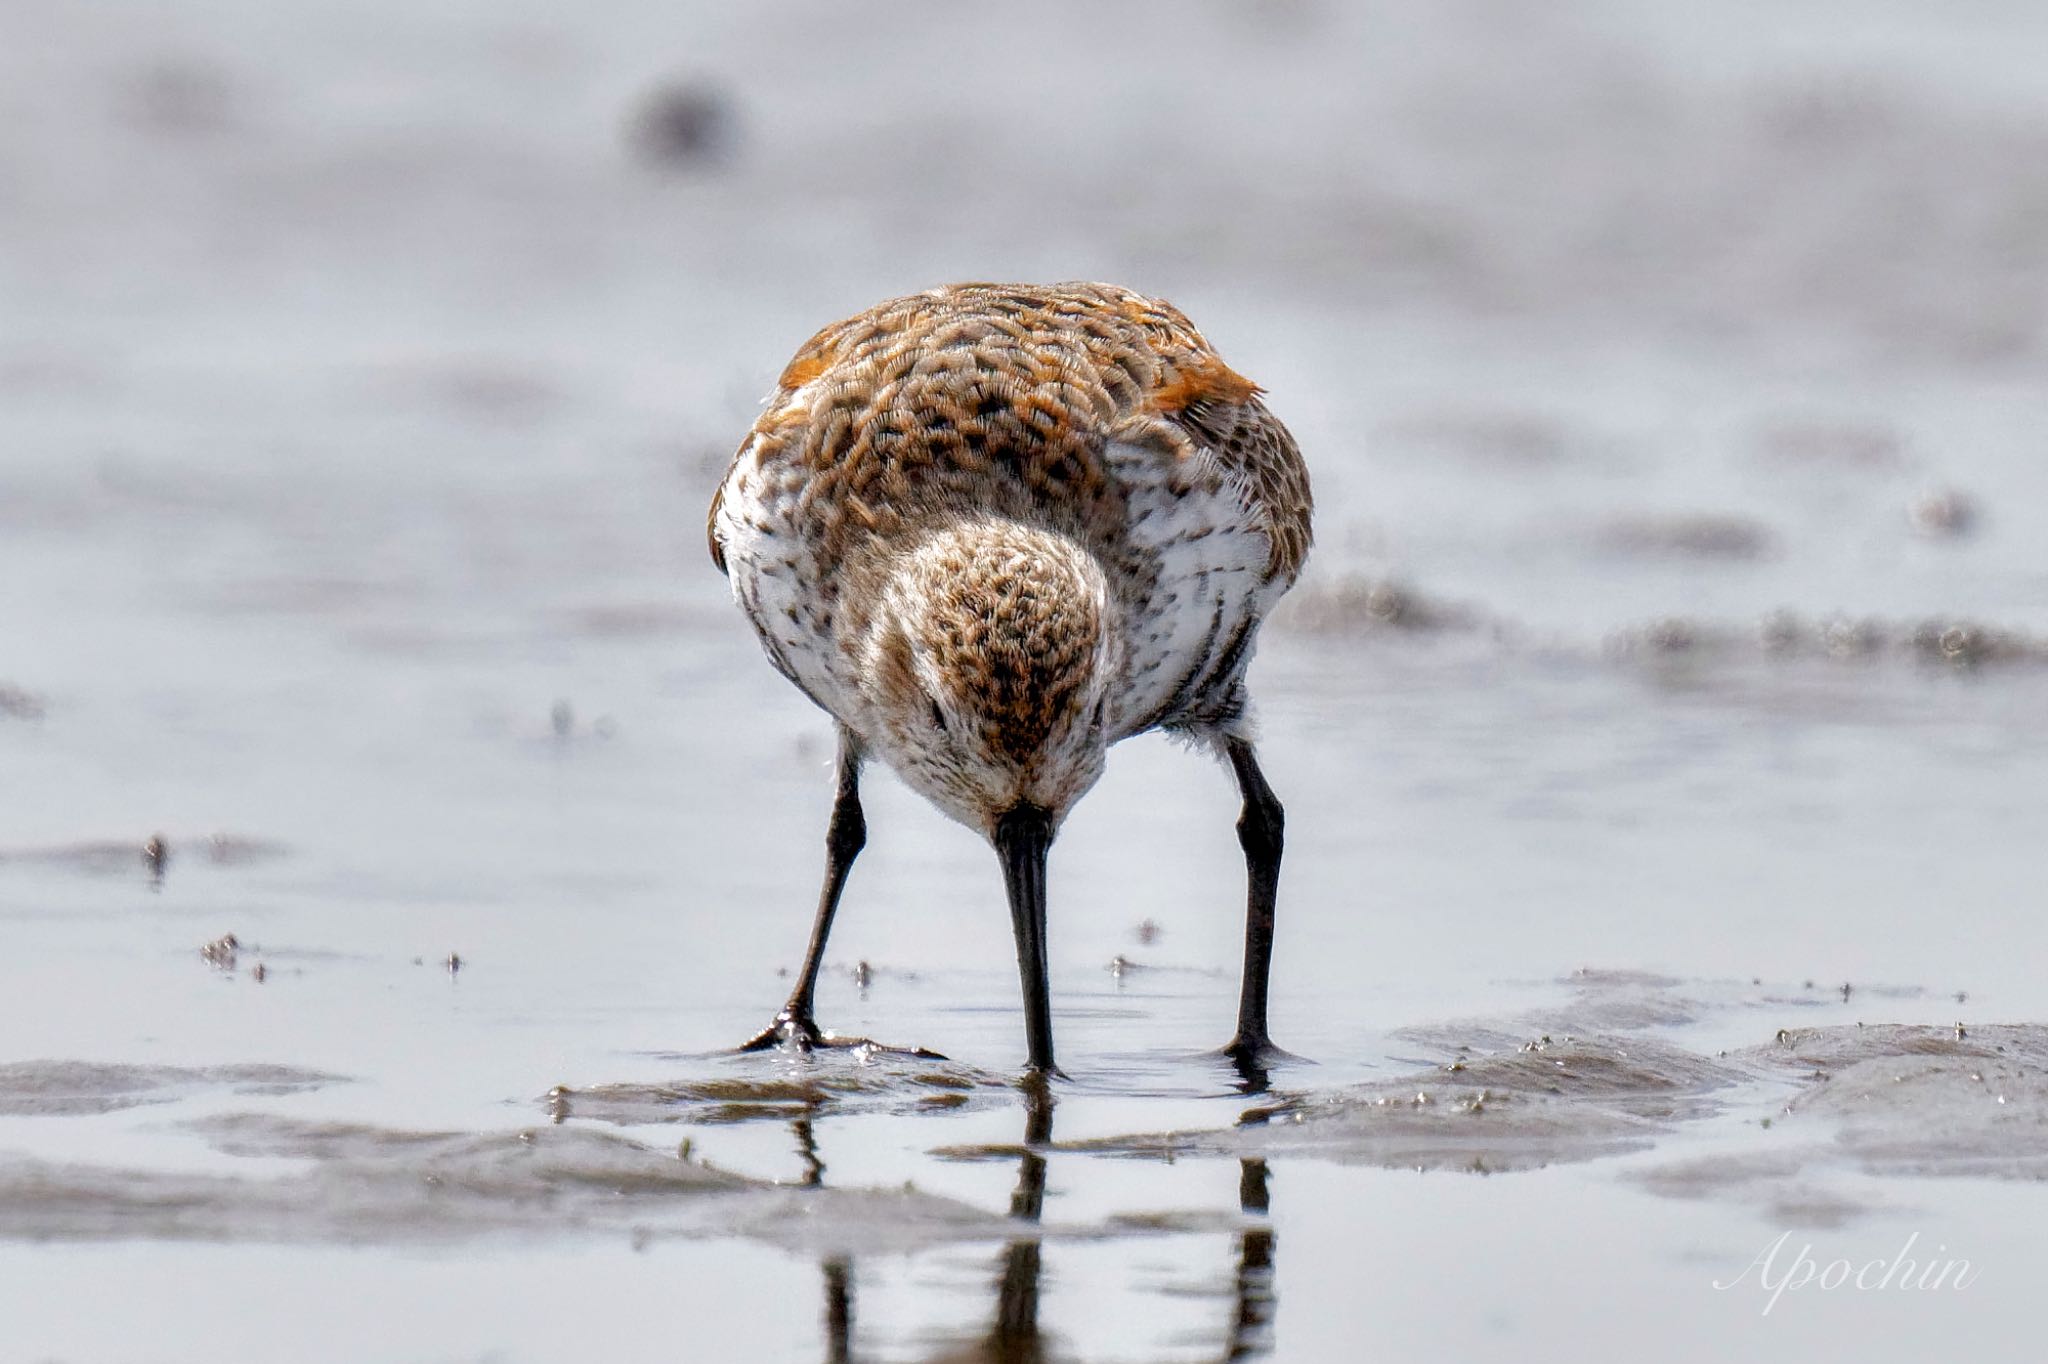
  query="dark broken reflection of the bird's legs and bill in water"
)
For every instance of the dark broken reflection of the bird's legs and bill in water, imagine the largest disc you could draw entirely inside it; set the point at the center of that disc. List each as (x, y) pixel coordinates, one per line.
(1015, 1336)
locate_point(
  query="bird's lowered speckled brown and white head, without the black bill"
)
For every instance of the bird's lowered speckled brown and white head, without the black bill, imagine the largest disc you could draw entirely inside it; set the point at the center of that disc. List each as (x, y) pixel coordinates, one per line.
(990, 673)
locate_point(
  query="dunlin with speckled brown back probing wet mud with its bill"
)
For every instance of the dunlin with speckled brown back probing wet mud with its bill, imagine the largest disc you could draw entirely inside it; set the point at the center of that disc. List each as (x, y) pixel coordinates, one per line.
(994, 529)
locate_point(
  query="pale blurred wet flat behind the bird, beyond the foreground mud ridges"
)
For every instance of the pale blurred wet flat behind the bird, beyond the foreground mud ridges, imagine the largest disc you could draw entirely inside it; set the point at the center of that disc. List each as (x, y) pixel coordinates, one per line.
(1670, 374)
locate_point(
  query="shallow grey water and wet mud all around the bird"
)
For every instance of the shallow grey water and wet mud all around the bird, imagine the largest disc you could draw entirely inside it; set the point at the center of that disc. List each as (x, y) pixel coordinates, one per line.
(1670, 675)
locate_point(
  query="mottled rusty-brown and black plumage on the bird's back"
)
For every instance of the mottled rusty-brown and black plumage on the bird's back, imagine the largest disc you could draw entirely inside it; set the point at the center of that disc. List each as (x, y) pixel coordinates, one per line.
(873, 407)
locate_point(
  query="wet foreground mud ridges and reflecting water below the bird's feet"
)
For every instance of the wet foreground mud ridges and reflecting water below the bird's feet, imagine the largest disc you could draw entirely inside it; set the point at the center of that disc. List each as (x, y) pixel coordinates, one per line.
(912, 1209)
